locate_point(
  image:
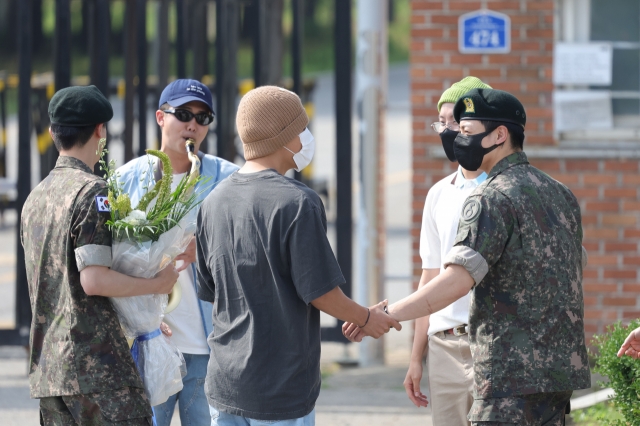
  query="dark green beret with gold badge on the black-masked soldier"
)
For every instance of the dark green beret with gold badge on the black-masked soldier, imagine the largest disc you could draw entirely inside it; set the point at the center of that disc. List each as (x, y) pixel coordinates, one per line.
(491, 105)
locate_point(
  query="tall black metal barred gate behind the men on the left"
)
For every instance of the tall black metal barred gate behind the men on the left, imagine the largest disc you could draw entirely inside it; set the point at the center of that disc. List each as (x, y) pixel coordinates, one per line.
(137, 88)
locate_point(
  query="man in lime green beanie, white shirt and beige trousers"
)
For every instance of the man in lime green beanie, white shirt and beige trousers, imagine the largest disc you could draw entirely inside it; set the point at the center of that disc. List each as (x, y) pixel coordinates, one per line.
(443, 335)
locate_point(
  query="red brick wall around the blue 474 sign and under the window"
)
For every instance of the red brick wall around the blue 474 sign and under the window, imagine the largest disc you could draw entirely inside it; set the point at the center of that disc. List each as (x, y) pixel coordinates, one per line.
(607, 189)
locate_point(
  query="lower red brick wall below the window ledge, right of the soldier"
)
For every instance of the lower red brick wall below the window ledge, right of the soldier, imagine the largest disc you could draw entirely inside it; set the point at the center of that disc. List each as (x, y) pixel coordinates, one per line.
(608, 194)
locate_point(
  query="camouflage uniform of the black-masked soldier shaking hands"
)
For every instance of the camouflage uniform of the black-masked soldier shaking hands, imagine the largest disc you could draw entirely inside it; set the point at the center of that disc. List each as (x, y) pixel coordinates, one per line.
(520, 238)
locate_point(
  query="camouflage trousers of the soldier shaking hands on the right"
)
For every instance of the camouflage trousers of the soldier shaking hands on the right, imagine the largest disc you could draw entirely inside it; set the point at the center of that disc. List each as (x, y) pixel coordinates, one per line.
(538, 409)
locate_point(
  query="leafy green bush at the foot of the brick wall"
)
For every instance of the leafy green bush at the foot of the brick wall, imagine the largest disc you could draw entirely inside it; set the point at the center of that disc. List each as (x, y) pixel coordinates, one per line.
(623, 373)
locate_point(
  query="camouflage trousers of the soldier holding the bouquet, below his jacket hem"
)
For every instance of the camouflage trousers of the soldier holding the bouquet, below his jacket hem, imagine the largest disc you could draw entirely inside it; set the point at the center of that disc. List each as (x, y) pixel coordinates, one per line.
(123, 407)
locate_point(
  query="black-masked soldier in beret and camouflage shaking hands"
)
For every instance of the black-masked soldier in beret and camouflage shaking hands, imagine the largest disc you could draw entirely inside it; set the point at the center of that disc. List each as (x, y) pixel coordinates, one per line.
(519, 248)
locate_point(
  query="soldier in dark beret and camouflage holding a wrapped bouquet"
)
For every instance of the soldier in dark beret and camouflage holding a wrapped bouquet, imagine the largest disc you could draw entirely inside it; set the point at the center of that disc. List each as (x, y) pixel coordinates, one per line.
(80, 366)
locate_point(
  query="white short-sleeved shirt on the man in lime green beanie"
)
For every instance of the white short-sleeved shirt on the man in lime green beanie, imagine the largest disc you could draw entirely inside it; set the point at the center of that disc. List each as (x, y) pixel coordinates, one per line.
(439, 227)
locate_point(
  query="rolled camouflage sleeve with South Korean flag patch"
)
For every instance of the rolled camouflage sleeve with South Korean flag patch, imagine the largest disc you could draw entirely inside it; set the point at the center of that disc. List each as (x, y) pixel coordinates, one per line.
(91, 237)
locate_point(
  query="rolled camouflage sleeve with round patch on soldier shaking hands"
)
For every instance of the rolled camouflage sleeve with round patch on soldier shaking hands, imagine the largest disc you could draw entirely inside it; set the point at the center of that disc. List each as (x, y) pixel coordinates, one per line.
(486, 225)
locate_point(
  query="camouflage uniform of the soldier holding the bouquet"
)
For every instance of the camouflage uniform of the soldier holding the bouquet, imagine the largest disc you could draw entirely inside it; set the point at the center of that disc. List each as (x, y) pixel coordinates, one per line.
(78, 350)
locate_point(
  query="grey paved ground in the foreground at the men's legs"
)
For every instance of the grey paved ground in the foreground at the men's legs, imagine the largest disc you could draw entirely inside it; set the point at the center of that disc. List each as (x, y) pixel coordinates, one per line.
(349, 397)
